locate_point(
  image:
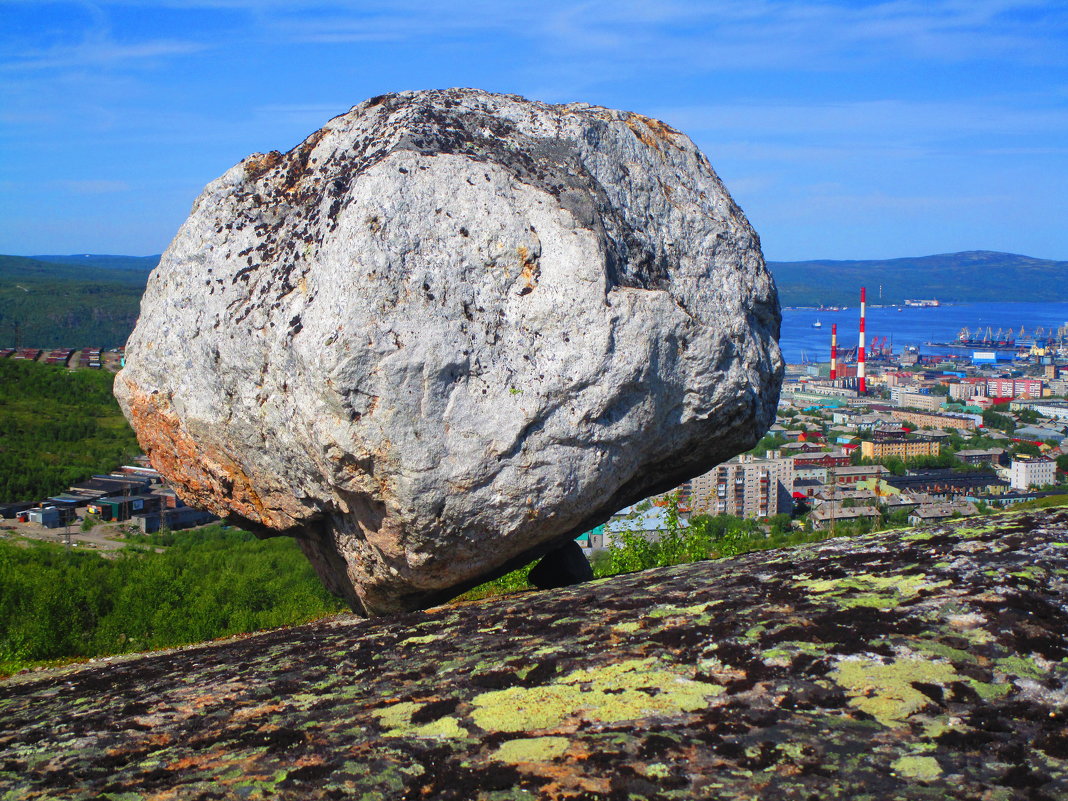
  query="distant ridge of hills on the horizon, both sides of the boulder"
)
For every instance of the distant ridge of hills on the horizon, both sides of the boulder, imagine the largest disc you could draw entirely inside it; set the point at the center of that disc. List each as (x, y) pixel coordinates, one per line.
(93, 300)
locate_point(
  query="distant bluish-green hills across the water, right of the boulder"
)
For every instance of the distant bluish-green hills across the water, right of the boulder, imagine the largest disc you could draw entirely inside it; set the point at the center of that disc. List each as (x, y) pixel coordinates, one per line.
(953, 278)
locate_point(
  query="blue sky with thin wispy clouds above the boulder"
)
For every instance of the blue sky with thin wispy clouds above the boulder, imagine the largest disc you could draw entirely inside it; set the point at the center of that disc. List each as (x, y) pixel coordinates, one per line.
(844, 130)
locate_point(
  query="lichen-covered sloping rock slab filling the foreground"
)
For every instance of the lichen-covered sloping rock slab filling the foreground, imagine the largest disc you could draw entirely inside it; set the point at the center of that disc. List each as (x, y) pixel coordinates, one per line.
(922, 665)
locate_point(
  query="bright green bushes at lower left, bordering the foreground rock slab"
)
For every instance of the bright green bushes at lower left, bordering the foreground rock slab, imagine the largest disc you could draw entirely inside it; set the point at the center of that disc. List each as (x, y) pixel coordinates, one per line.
(59, 605)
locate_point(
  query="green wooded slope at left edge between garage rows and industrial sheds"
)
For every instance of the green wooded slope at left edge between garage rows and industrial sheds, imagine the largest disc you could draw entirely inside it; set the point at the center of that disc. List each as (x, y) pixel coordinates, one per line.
(57, 428)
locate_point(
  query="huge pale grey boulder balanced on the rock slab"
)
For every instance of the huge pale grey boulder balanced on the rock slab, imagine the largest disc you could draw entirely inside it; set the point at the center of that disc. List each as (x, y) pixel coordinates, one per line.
(450, 332)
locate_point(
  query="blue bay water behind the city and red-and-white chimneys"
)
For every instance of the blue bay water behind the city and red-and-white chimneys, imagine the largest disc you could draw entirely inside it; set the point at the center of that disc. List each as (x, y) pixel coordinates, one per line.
(910, 326)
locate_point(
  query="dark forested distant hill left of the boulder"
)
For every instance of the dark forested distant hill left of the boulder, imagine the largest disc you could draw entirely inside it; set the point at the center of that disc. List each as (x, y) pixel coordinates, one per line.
(59, 305)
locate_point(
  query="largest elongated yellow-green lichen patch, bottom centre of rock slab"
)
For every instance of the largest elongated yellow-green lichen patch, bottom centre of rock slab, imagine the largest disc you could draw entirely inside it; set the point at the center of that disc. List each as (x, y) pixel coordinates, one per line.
(629, 690)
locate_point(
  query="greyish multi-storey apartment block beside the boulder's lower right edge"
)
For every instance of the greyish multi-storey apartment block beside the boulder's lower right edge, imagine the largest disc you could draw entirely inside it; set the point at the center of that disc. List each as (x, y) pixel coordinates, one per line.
(746, 486)
